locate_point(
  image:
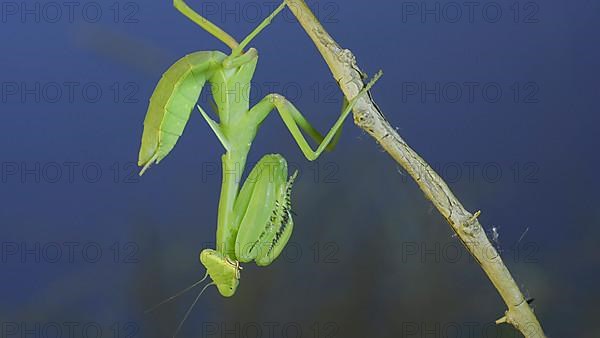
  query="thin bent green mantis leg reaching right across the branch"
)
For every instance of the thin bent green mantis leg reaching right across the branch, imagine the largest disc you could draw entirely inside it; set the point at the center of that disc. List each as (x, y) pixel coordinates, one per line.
(293, 119)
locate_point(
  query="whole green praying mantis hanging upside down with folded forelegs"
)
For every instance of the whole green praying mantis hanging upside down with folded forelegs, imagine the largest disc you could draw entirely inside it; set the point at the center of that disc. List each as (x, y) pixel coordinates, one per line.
(254, 223)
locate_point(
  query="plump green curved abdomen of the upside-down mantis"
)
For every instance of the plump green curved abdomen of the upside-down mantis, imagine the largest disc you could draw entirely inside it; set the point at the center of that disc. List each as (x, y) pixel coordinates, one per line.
(172, 102)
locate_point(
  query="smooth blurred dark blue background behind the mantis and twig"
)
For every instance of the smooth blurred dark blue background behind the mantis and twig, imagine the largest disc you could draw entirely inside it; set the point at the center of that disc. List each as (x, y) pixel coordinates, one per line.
(499, 96)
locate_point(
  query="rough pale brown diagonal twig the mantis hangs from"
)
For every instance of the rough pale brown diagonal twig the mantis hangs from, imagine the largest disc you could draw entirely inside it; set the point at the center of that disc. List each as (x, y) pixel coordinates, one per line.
(369, 117)
